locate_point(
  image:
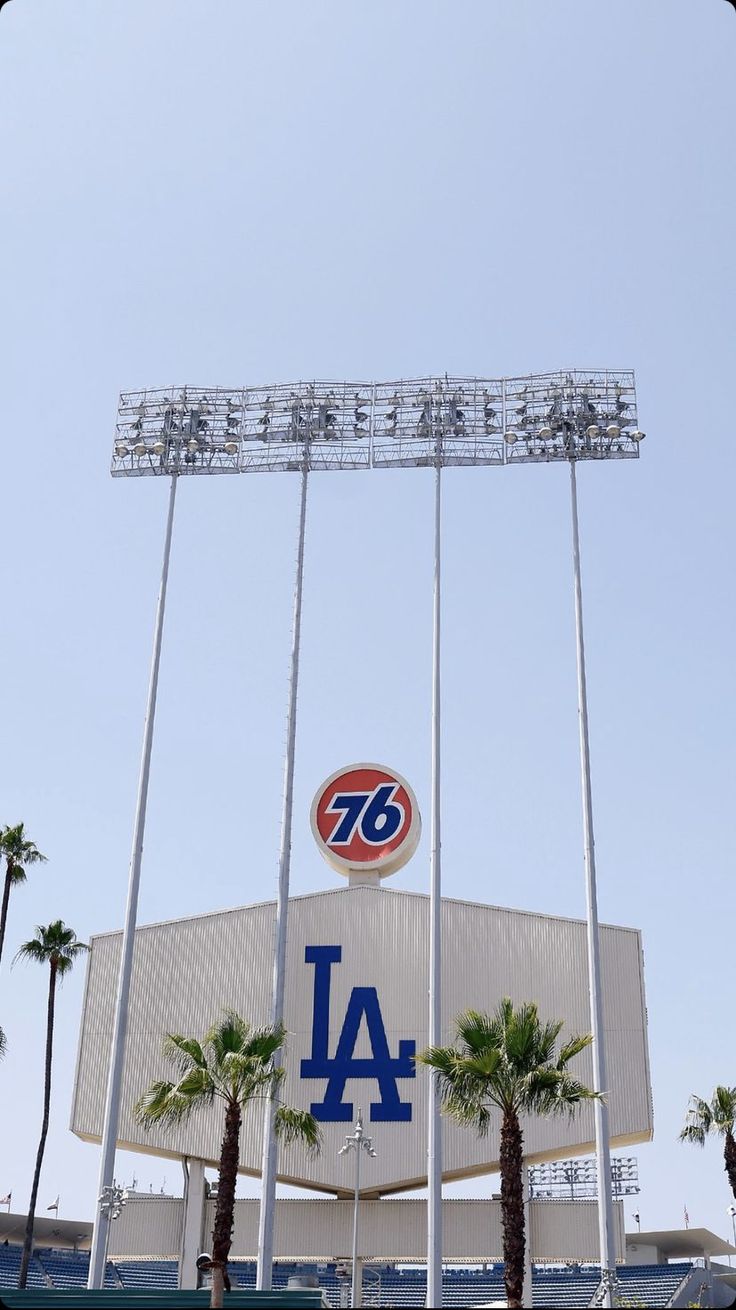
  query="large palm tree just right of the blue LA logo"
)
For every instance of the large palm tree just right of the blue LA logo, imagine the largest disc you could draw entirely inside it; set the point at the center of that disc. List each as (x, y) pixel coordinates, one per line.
(509, 1062)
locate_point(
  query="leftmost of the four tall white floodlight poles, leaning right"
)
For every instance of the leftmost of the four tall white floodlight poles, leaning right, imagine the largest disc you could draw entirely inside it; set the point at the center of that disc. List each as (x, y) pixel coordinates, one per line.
(117, 1059)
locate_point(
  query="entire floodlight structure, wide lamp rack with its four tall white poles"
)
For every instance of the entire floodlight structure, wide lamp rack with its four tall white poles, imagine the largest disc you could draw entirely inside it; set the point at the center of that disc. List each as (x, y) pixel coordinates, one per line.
(299, 428)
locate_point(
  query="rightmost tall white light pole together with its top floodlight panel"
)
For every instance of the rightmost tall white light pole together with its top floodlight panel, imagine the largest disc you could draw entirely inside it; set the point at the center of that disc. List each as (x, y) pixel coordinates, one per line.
(582, 417)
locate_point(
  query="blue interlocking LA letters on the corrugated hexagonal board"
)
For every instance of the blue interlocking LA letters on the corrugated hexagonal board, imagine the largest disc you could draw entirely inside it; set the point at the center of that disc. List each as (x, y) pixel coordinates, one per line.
(344, 1066)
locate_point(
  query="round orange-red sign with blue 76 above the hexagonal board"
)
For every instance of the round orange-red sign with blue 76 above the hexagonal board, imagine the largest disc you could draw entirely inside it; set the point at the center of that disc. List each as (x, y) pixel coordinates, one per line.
(366, 819)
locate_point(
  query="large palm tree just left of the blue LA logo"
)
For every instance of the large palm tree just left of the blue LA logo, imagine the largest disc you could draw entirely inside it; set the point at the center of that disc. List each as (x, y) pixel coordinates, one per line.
(238, 1066)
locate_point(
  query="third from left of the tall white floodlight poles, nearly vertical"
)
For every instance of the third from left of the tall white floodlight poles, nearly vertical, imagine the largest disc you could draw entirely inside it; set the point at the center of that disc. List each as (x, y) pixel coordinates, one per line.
(434, 1117)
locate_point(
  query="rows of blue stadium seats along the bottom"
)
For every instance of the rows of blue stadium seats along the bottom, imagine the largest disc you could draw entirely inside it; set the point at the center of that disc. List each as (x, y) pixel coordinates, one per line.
(565, 1288)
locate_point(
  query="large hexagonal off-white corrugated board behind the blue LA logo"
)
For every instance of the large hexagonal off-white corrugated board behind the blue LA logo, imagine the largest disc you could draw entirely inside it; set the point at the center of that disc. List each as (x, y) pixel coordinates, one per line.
(187, 973)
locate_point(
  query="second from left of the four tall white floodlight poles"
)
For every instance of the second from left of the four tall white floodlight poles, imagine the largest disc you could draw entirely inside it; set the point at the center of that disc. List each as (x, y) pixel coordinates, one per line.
(268, 1211)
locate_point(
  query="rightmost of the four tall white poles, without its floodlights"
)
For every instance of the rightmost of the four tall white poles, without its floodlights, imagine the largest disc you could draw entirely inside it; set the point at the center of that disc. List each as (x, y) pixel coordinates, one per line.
(602, 1119)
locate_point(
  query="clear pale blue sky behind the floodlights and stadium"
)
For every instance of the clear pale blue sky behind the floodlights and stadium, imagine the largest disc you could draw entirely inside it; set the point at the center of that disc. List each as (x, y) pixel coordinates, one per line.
(244, 193)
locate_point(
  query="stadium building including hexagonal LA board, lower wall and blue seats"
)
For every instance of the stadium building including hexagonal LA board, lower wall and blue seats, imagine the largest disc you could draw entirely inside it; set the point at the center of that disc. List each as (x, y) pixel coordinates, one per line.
(357, 1013)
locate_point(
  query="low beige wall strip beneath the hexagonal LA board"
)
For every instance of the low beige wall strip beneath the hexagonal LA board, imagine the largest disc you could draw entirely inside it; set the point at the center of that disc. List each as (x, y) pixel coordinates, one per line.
(390, 1229)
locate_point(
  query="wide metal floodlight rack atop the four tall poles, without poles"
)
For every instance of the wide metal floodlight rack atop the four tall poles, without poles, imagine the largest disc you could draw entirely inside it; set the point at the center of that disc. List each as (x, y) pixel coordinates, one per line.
(409, 424)
